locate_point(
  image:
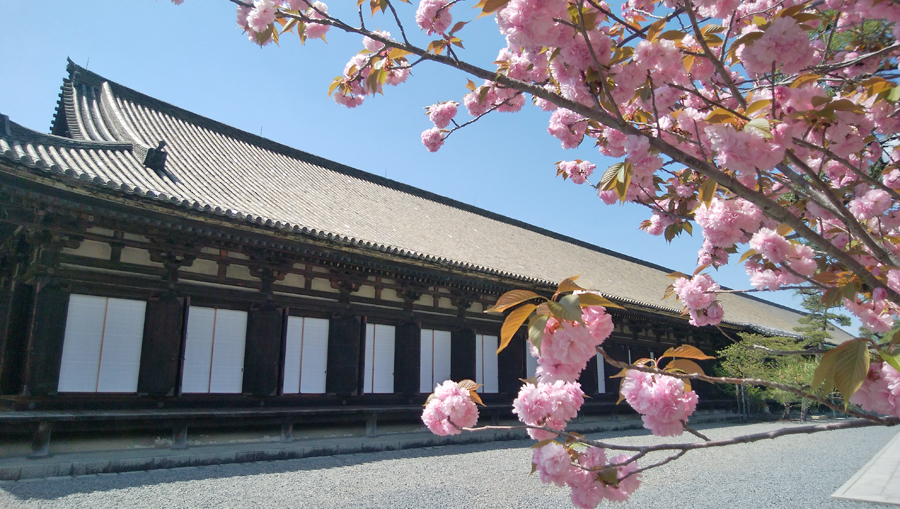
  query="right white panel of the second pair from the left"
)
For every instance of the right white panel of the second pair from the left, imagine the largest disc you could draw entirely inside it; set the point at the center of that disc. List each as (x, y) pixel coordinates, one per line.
(227, 373)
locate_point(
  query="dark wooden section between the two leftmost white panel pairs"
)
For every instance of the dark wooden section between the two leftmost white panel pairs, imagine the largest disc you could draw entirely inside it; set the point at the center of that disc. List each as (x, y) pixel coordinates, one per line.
(161, 347)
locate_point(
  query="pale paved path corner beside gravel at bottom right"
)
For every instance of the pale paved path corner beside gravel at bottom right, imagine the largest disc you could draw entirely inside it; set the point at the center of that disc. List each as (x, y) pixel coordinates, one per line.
(879, 480)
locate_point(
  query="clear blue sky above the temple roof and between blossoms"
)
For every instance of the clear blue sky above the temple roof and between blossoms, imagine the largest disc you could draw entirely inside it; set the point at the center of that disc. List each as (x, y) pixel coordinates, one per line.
(194, 56)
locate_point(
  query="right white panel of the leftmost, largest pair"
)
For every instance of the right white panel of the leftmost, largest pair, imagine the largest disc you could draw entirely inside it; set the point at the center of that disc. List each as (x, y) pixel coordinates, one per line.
(120, 357)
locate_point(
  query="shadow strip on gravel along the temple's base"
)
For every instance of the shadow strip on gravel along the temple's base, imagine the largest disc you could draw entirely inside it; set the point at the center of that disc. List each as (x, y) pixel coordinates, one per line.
(36, 490)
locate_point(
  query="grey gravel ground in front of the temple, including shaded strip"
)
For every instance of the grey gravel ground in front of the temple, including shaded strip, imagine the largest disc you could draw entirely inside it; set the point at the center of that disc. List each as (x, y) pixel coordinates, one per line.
(796, 472)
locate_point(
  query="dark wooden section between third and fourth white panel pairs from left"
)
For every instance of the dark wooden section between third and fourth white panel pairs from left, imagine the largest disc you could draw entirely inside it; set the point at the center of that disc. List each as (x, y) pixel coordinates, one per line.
(344, 341)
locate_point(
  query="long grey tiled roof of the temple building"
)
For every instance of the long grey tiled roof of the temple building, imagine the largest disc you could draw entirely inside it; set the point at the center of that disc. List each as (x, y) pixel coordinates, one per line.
(216, 169)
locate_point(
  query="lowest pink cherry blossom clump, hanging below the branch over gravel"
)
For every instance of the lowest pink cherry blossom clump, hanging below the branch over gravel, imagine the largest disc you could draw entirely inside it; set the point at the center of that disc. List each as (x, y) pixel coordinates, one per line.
(581, 471)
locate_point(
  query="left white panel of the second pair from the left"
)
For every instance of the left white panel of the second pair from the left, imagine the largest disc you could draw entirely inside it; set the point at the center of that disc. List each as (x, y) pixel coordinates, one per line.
(198, 349)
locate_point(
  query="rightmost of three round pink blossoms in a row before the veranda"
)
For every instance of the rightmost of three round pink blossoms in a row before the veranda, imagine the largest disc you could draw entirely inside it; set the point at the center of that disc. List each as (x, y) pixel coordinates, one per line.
(661, 400)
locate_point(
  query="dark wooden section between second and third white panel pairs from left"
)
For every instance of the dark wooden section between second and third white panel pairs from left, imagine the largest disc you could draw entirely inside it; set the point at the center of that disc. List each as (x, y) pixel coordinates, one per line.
(262, 357)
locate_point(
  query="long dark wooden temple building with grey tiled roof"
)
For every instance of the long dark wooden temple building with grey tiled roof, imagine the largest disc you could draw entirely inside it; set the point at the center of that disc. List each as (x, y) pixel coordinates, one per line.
(156, 265)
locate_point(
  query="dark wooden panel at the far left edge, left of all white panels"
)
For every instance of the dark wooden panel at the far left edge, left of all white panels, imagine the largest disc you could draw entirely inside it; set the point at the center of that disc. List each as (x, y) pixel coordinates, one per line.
(17, 306)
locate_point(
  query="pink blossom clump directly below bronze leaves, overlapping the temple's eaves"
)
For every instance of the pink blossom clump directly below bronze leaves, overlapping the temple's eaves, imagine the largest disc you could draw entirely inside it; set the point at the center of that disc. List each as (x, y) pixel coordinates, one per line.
(567, 347)
